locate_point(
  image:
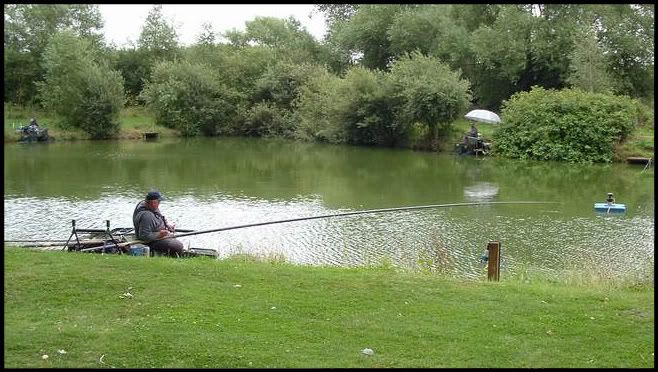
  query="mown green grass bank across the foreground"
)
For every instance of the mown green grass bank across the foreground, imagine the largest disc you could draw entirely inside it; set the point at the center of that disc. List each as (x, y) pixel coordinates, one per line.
(241, 312)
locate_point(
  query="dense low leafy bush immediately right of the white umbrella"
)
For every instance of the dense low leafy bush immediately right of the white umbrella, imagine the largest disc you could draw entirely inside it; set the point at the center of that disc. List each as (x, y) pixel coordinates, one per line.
(568, 125)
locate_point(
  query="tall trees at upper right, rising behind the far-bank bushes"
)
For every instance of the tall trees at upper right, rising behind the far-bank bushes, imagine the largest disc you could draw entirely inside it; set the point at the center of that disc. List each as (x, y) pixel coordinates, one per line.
(508, 48)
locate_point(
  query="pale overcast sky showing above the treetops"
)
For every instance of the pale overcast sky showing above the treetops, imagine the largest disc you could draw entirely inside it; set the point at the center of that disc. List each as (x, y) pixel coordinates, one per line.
(124, 22)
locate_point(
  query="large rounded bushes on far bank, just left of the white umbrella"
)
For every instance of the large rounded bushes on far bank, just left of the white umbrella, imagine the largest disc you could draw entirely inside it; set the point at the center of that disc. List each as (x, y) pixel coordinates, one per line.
(379, 108)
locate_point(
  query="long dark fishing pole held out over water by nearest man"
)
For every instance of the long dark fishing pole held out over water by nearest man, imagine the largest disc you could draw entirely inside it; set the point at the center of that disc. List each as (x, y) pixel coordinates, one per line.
(349, 214)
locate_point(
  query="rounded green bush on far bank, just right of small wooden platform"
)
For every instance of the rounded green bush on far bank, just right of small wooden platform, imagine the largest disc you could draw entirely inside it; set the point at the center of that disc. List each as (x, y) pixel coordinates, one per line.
(189, 97)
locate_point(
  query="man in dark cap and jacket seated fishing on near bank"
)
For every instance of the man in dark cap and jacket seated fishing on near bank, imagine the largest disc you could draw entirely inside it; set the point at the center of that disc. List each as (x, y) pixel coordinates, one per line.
(152, 227)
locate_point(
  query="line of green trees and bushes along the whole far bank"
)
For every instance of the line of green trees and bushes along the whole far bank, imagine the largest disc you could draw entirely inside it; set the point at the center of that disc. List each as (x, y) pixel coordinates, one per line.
(384, 74)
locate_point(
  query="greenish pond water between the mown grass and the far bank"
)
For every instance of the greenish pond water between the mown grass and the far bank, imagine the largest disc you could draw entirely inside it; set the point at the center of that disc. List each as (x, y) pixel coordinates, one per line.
(212, 183)
